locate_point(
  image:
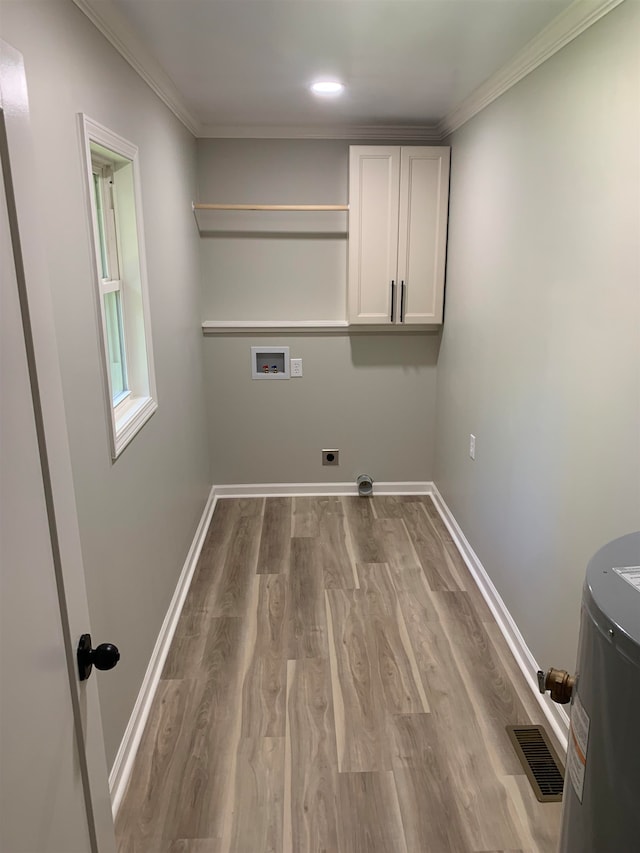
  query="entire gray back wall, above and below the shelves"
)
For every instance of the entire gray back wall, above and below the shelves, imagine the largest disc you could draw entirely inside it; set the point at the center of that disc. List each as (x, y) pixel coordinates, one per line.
(370, 395)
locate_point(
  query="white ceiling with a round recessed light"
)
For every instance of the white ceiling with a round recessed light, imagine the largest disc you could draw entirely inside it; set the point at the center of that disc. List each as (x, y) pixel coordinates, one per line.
(247, 63)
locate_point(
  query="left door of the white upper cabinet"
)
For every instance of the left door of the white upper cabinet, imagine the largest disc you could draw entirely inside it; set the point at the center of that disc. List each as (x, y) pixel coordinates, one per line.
(374, 174)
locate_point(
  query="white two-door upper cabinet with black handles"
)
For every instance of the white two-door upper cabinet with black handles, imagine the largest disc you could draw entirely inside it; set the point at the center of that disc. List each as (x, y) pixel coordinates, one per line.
(398, 201)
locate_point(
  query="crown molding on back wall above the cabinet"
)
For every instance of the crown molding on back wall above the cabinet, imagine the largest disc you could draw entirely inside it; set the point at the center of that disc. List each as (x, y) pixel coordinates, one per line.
(426, 133)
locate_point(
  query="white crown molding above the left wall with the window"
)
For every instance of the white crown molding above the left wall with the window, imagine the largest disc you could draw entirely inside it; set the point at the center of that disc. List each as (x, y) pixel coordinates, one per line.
(115, 28)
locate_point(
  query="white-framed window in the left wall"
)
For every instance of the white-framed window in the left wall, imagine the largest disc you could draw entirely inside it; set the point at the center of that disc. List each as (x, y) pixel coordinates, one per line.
(121, 282)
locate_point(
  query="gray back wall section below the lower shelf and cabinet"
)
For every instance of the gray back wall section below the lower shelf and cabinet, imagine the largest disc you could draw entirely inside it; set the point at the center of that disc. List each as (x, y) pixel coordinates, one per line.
(370, 396)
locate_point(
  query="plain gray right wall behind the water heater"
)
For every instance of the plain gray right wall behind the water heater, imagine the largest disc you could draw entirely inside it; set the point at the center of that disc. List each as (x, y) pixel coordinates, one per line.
(540, 355)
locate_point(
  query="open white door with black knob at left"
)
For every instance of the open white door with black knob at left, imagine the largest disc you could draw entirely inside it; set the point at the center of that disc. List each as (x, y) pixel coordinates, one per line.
(54, 794)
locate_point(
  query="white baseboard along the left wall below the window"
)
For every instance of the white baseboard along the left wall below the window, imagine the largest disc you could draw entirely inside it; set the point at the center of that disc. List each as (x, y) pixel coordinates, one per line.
(121, 770)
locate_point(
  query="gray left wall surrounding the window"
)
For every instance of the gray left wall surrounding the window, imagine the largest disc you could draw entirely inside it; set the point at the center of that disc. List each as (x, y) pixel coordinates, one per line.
(137, 516)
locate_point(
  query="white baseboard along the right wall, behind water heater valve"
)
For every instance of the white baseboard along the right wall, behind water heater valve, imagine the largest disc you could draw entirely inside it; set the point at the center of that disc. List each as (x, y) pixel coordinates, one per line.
(556, 716)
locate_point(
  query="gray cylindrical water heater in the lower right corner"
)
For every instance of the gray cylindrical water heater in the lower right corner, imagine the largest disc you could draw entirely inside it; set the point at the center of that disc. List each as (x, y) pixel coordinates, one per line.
(601, 812)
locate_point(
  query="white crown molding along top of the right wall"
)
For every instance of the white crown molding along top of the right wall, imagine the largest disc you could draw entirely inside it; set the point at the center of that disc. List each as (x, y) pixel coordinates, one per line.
(567, 26)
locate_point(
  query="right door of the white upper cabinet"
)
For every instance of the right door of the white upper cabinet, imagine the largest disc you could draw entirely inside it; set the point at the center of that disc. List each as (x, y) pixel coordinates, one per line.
(422, 240)
